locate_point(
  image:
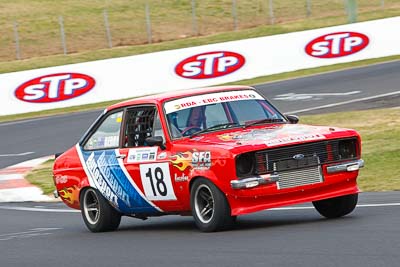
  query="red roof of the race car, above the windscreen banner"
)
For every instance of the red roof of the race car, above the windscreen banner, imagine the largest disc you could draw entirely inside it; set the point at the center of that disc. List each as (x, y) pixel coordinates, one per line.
(163, 97)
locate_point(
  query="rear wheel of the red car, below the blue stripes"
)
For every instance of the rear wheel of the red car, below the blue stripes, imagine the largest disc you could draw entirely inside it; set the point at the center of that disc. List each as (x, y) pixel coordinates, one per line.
(97, 213)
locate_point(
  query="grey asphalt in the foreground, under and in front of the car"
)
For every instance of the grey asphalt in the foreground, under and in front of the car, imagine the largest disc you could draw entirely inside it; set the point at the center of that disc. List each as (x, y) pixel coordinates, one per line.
(301, 237)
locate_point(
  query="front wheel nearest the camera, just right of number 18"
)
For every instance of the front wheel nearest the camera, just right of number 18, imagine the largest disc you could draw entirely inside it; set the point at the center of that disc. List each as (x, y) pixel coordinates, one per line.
(210, 208)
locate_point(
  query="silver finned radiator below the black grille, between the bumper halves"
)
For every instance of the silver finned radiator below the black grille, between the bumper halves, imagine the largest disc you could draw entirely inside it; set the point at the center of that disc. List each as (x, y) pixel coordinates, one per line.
(304, 176)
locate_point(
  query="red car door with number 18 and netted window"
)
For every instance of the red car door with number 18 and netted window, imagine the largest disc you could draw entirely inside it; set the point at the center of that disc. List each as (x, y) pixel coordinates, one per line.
(148, 166)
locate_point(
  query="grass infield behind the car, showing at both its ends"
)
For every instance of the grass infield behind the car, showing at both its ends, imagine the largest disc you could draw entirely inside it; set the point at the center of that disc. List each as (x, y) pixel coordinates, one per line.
(380, 132)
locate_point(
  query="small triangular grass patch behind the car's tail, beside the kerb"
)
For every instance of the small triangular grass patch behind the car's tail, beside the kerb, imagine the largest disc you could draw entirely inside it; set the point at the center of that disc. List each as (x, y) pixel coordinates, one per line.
(42, 176)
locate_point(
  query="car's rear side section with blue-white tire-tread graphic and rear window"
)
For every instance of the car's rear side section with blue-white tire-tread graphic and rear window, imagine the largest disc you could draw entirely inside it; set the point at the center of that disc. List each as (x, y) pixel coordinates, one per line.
(105, 169)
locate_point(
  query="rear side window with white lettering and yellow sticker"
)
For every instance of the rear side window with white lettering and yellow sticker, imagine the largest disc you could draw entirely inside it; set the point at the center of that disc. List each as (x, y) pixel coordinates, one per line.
(107, 135)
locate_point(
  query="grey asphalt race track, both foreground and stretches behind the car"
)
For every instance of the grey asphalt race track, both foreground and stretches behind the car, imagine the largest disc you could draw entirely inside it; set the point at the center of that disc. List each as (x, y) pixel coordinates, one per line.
(40, 234)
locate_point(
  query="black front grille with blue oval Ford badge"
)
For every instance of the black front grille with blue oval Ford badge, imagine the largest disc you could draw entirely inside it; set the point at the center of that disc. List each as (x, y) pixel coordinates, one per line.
(284, 158)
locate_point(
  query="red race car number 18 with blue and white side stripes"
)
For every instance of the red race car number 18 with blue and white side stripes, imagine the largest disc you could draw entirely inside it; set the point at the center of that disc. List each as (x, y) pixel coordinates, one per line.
(215, 153)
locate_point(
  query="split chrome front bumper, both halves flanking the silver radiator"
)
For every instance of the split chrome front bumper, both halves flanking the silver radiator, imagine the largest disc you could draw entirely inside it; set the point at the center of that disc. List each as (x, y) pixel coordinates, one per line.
(273, 178)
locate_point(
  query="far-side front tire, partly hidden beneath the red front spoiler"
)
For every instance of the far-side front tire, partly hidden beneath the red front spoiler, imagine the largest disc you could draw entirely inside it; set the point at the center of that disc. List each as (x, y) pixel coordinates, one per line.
(336, 207)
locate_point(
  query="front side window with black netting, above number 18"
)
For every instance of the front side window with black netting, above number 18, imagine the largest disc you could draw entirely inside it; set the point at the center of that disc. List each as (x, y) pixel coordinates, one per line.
(139, 125)
